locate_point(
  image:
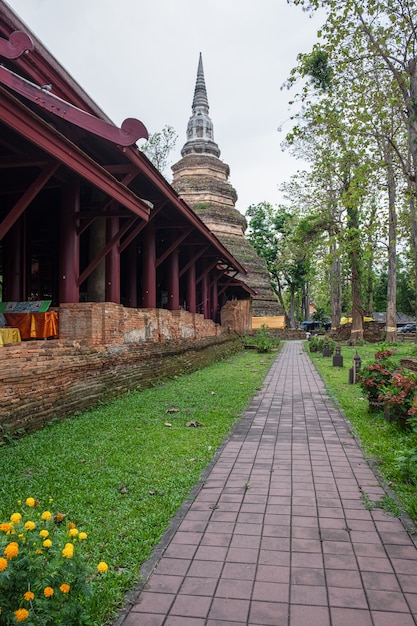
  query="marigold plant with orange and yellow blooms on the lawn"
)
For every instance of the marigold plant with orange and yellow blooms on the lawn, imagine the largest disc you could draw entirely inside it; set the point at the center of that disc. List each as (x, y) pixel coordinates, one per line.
(45, 576)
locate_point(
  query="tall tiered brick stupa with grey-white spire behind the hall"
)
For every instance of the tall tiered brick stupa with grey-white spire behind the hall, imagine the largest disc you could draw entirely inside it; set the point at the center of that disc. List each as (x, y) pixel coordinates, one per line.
(201, 179)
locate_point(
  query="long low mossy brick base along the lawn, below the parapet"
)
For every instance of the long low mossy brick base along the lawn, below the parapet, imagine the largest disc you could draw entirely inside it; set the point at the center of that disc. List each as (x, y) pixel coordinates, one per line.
(41, 380)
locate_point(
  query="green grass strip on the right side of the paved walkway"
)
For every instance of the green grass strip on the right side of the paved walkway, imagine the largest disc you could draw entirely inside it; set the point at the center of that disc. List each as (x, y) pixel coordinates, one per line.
(392, 448)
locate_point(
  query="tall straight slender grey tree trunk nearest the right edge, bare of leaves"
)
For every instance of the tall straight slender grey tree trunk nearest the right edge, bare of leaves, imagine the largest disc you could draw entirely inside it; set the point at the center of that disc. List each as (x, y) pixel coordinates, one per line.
(391, 335)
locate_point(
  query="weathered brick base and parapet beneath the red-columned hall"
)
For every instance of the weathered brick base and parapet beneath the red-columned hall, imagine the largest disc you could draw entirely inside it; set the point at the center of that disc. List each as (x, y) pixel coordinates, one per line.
(41, 380)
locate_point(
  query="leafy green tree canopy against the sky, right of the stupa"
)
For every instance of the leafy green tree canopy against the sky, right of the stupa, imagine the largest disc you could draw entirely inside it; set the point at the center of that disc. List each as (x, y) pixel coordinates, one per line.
(357, 126)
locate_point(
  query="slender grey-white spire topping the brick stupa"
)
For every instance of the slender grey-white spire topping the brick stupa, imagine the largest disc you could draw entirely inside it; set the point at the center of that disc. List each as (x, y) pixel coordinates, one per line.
(200, 127)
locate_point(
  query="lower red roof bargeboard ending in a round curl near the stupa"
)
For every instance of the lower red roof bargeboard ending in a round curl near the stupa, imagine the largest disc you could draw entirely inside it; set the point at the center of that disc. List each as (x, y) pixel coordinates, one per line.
(131, 129)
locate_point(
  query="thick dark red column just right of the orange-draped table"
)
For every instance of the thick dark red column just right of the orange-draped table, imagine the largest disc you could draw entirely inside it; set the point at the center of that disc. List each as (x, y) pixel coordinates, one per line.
(69, 260)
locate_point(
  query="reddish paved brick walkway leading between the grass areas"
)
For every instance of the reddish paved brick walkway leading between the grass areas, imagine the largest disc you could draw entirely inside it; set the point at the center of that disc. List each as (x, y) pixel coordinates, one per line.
(279, 534)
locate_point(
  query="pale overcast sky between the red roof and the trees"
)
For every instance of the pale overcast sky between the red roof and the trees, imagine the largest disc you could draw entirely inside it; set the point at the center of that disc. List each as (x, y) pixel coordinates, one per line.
(138, 58)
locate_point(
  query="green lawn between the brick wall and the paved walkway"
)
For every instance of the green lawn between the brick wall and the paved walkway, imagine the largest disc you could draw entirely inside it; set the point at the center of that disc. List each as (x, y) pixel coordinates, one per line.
(122, 470)
